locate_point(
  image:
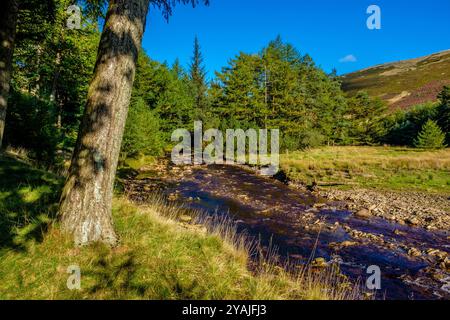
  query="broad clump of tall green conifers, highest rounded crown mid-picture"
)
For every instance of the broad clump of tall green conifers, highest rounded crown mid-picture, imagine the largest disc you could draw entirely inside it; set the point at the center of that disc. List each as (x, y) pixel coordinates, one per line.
(280, 88)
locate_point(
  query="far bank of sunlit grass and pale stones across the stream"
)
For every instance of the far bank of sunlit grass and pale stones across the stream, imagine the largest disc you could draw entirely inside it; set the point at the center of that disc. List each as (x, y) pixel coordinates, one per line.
(402, 185)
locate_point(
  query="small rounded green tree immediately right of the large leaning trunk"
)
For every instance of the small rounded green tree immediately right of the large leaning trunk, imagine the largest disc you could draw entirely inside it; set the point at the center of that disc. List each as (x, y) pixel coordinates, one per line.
(142, 132)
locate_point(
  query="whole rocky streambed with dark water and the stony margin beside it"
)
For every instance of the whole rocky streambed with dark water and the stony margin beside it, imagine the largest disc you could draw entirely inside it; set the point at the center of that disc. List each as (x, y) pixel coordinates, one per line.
(354, 230)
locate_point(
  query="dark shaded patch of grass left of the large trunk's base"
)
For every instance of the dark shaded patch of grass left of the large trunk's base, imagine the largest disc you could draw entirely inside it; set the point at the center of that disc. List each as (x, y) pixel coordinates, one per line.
(28, 203)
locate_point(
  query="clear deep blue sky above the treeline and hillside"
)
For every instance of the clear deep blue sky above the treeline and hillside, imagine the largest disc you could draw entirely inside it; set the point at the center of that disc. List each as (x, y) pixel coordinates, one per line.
(328, 30)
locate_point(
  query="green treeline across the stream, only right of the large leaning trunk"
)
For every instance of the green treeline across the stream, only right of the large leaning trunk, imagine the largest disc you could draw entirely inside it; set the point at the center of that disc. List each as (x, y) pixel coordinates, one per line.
(275, 88)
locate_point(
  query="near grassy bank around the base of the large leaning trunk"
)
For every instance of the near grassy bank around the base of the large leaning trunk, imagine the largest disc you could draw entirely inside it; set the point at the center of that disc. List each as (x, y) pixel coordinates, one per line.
(159, 257)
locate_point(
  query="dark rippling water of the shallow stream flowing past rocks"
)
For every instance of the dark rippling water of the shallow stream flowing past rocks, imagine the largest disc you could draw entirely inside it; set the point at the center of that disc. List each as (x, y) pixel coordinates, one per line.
(278, 215)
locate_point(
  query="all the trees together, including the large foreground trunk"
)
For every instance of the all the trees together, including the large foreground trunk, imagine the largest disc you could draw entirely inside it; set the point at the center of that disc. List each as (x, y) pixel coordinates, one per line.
(69, 99)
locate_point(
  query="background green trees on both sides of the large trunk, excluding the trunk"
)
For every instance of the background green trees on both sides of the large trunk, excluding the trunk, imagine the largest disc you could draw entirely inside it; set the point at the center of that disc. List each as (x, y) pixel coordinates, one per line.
(277, 87)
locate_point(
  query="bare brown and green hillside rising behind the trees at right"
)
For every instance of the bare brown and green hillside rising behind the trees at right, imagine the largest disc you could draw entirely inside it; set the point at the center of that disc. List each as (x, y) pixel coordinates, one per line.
(405, 83)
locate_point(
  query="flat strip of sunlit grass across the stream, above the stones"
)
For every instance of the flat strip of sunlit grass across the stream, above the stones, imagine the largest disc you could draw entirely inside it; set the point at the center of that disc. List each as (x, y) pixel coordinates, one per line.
(387, 168)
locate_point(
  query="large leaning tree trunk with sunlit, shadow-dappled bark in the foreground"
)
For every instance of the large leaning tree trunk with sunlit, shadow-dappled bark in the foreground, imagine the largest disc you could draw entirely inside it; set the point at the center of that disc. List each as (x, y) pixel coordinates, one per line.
(85, 208)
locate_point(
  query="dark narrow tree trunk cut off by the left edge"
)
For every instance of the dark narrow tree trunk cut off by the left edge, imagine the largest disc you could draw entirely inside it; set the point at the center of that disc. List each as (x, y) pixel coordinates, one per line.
(8, 22)
